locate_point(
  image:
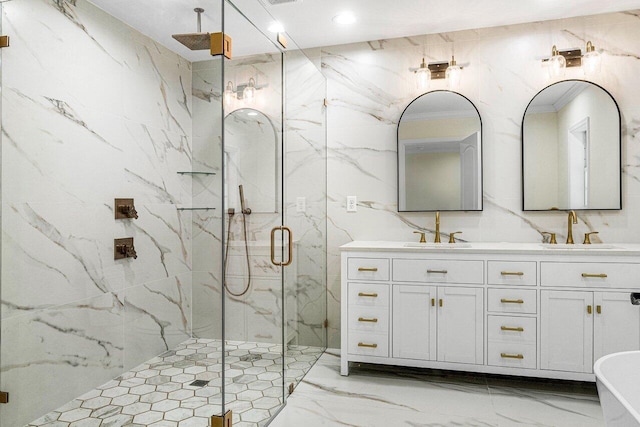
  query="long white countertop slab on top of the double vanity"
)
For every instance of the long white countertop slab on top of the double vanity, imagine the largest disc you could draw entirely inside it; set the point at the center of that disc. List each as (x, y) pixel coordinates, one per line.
(624, 249)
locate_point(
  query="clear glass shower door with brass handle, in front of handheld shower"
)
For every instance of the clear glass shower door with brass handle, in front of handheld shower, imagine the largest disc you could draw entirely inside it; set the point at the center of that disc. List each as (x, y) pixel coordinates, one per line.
(253, 241)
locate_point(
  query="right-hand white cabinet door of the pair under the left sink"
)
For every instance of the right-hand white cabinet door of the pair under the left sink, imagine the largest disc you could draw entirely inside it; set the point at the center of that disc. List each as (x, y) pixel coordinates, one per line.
(460, 325)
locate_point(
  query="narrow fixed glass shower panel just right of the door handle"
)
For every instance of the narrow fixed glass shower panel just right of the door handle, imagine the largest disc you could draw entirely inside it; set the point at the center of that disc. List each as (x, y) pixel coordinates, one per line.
(305, 213)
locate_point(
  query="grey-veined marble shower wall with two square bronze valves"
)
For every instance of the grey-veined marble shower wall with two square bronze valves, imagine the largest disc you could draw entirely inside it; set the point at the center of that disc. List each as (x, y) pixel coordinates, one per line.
(91, 110)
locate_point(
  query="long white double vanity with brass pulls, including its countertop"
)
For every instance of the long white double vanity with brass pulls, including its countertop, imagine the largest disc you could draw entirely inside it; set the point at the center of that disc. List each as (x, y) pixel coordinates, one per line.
(496, 308)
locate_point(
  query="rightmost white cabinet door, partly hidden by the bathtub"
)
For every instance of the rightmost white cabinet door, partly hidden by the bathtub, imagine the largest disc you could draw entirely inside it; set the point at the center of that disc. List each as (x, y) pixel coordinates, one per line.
(616, 324)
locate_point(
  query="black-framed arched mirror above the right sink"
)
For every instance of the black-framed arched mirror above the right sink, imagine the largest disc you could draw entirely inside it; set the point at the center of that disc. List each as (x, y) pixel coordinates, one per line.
(571, 147)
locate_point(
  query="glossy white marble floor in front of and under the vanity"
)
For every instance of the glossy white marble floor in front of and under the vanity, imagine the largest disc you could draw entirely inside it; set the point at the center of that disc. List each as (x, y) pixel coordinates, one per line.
(373, 396)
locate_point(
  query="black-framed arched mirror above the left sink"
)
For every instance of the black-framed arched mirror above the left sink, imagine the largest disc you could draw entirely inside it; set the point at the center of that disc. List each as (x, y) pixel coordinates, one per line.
(440, 154)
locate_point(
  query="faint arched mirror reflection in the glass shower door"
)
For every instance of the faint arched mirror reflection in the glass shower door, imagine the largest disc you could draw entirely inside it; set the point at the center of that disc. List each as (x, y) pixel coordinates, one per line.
(250, 149)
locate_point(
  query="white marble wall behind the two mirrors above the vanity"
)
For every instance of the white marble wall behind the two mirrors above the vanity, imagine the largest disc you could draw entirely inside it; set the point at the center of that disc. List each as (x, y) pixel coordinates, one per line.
(369, 85)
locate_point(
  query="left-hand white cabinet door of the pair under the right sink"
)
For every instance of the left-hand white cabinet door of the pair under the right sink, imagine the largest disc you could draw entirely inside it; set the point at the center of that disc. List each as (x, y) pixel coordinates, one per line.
(566, 336)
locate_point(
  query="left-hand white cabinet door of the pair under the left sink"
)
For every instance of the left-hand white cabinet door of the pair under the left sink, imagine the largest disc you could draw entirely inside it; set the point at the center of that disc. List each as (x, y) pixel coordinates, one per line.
(414, 322)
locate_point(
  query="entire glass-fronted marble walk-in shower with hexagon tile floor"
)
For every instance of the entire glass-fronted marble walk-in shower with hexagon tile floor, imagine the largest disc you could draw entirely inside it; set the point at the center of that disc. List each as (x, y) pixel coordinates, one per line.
(219, 167)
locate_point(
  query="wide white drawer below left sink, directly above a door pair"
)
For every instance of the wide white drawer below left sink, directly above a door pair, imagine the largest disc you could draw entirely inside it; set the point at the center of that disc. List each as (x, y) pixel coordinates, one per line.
(438, 271)
